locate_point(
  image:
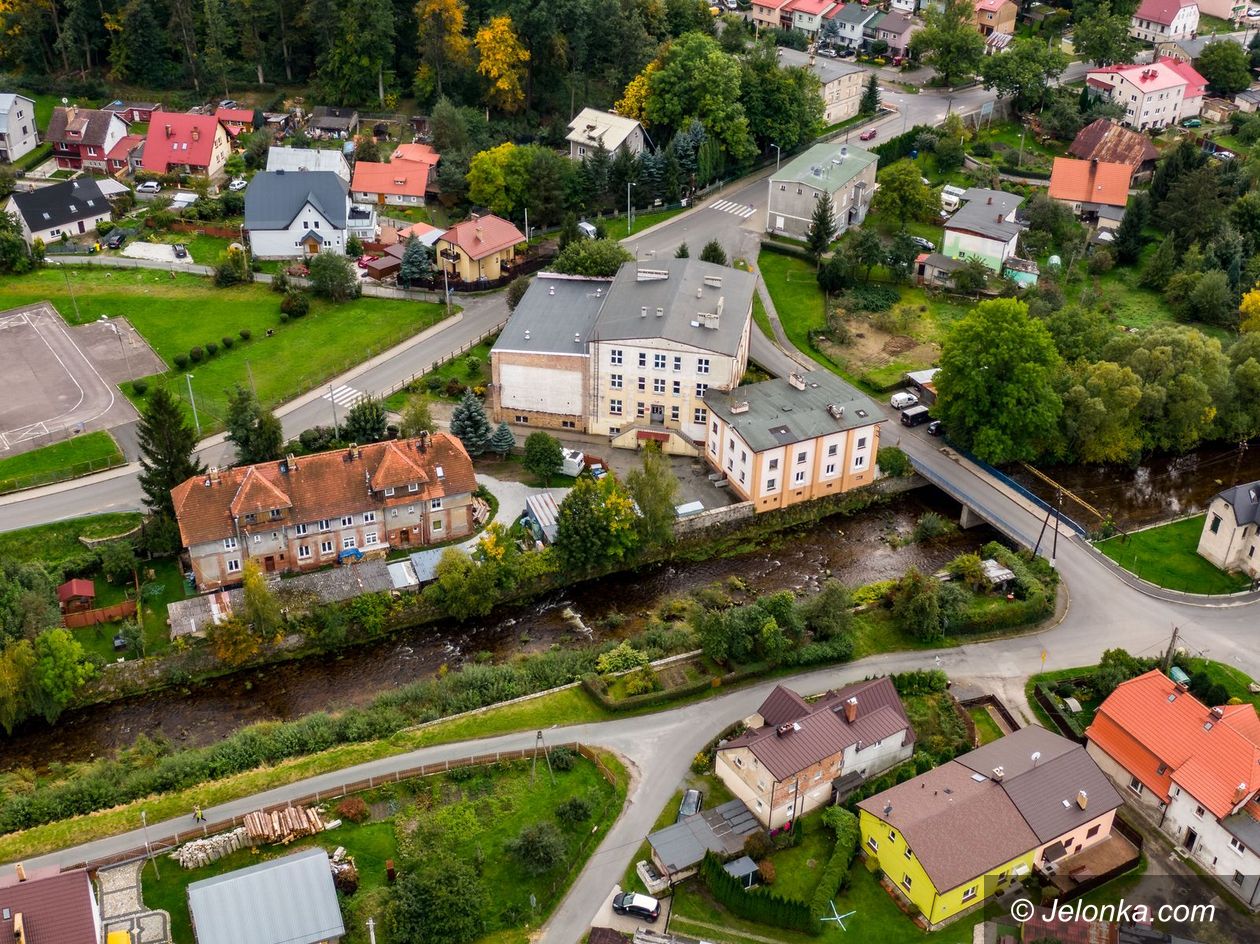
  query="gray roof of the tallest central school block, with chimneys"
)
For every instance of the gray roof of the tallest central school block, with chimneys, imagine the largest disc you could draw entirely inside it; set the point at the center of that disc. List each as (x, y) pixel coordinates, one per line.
(682, 297)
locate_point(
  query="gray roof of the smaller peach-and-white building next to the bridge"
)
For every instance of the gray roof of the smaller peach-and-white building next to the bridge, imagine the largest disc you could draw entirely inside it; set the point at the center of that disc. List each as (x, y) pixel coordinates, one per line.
(781, 415)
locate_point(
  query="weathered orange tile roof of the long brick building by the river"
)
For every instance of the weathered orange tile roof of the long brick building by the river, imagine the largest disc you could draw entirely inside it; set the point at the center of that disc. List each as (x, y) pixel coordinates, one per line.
(322, 486)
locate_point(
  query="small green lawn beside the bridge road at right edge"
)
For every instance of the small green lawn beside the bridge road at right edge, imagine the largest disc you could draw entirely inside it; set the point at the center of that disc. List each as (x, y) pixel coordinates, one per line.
(1167, 556)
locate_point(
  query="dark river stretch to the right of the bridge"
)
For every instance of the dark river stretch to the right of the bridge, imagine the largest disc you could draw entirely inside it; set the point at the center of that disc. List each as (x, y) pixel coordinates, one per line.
(1157, 490)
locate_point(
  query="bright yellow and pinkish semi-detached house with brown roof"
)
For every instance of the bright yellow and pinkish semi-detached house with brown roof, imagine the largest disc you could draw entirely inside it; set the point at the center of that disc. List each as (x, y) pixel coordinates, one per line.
(961, 832)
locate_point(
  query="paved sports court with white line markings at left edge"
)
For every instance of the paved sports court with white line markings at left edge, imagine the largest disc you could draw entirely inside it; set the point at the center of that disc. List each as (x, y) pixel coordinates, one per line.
(54, 388)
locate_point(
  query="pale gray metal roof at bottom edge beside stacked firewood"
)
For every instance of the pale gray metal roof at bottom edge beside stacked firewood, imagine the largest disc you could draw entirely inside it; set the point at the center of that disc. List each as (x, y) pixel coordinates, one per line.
(288, 901)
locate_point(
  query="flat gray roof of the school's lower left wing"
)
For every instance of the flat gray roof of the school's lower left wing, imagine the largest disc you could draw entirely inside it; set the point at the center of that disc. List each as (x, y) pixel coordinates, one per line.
(553, 312)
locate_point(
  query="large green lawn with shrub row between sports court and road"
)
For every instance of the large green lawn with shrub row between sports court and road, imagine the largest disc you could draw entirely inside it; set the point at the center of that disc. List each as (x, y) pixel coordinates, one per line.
(178, 313)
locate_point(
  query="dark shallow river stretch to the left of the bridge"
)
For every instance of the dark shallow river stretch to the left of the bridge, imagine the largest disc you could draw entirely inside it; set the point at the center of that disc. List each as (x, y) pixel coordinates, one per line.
(855, 550)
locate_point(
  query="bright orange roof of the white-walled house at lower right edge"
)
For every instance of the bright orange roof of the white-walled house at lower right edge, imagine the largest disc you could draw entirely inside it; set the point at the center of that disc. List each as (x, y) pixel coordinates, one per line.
(1214, 758)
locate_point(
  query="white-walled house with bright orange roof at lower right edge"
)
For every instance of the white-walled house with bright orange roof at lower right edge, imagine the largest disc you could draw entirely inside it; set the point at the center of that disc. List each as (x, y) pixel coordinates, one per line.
(1193, 769)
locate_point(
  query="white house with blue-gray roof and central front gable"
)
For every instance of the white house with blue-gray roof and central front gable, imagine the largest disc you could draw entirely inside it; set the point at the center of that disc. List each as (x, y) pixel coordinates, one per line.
(290, 215)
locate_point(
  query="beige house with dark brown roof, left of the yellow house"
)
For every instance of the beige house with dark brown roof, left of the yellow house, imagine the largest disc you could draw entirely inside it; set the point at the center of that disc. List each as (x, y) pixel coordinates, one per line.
(801, 756)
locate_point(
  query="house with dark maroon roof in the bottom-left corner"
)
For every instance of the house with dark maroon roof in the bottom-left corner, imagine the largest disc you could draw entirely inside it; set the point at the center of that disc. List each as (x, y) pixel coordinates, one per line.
(49, 907)
